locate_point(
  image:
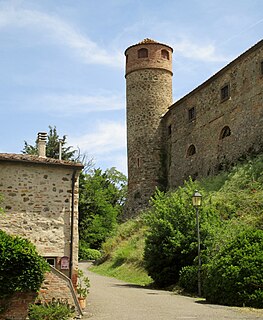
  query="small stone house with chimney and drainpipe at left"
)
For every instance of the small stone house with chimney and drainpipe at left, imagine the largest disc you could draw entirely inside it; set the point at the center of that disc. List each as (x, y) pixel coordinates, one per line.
(40, 203)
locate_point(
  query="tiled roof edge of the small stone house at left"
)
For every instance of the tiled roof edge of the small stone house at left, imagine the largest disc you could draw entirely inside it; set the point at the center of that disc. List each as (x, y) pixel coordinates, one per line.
(40, 160)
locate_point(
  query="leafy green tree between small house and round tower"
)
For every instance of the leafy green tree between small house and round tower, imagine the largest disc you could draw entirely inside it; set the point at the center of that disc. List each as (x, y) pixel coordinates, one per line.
(101, 199)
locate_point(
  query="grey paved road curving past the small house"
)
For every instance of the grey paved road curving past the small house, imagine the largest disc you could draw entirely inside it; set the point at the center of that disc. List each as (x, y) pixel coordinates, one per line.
(111, 299)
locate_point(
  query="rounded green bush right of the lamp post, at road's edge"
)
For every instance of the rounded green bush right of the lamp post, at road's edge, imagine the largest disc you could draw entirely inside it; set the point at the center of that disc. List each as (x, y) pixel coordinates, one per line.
(235, 274)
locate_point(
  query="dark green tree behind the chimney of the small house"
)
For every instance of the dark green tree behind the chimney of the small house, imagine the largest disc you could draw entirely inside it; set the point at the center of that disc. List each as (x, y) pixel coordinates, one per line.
(52, 147)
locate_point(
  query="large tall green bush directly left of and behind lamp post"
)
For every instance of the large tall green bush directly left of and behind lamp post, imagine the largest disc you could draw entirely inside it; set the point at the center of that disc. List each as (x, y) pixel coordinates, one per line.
(171, 242)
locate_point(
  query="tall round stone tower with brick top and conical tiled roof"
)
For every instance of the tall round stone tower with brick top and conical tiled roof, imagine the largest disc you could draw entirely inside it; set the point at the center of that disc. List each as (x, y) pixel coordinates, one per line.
(148, 94)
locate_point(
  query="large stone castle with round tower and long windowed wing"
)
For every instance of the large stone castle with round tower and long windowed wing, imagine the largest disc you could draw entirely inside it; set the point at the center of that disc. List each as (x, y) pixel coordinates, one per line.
(213, 126)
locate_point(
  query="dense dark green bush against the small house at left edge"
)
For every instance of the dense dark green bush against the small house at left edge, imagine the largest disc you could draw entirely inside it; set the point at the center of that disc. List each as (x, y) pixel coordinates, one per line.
(21, 267)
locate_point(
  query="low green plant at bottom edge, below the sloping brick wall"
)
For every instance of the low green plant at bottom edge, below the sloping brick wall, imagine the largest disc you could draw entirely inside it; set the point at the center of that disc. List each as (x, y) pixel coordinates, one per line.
(54, 310)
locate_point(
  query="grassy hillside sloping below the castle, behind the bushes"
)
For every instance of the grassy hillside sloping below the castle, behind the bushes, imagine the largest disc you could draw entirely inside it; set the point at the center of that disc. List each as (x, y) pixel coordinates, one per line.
(236, 196)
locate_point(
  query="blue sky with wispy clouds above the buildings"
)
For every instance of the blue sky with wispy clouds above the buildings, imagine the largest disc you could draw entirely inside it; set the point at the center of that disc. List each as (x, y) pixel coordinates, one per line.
(62, 62)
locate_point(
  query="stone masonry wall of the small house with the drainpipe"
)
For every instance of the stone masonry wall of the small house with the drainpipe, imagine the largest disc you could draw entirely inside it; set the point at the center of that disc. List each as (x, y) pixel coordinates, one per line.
(37, 206)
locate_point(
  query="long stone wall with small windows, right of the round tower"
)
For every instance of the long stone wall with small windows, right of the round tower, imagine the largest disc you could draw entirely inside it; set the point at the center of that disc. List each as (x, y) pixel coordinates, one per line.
(242, 113)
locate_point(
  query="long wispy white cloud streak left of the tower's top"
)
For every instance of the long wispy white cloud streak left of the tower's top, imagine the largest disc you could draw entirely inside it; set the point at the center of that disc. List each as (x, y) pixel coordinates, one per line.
(60, 32)
